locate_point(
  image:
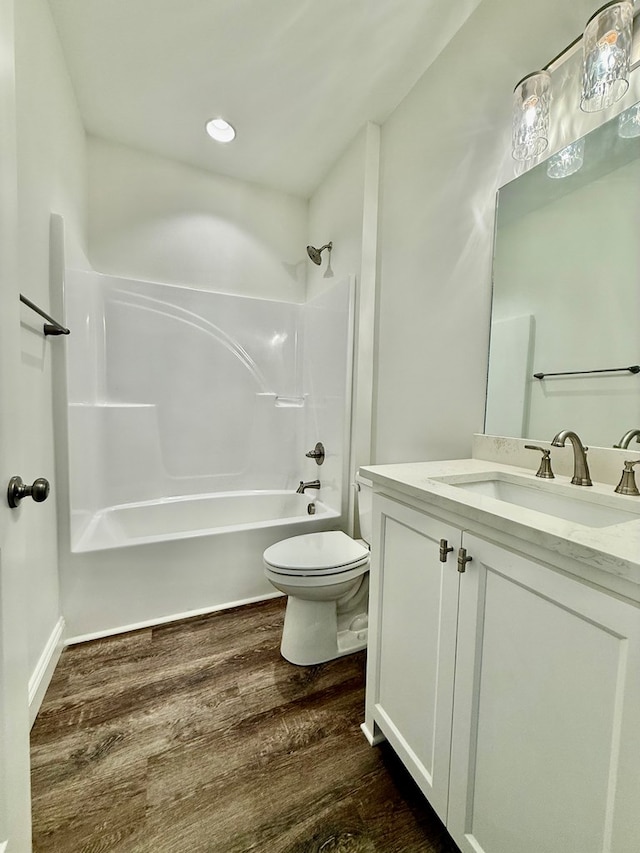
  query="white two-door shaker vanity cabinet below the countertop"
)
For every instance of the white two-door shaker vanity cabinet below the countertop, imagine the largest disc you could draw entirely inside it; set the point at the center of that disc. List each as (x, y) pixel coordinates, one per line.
(511, 691)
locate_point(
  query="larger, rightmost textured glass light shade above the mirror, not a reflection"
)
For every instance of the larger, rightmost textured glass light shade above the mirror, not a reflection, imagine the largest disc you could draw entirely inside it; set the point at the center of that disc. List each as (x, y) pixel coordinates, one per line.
(606, 56)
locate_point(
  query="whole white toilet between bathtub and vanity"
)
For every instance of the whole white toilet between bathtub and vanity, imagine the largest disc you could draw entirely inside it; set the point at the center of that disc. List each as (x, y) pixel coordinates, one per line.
(326, 578)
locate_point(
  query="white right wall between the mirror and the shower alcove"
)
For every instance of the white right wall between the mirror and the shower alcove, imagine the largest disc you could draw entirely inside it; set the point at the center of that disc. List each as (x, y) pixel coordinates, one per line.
(445, 150)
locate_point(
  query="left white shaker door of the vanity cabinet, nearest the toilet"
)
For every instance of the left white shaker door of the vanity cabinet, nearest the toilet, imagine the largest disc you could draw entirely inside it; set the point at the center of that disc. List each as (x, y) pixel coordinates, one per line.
(415, 600)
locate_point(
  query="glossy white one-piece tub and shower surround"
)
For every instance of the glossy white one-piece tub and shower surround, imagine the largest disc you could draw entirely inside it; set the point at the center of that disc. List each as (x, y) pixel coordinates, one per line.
(189, 421)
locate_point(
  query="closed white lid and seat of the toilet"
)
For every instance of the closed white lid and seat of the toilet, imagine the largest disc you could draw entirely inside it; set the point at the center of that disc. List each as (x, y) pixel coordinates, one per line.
(317, 552)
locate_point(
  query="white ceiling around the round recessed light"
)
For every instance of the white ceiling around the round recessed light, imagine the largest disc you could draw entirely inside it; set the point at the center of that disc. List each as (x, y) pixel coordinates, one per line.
(296, 78)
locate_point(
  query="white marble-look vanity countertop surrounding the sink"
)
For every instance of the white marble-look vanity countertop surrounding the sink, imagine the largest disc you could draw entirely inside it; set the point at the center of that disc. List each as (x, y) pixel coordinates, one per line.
(613, 549)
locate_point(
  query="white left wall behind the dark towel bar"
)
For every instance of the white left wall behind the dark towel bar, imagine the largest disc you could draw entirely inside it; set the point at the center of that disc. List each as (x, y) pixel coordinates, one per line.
(51, 177)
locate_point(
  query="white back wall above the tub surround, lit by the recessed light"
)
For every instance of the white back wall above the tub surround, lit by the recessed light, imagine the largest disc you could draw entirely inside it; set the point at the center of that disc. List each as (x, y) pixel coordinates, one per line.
(159, 220)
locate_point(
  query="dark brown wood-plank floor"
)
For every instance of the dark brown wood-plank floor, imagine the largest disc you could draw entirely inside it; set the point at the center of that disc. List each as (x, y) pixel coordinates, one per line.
(197, 736)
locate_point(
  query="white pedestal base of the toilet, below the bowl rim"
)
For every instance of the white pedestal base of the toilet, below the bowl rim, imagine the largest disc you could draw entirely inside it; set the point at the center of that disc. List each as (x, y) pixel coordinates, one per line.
(318, 631)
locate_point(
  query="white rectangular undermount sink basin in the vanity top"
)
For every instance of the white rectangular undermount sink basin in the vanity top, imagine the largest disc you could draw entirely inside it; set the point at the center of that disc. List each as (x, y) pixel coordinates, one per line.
(592, 510)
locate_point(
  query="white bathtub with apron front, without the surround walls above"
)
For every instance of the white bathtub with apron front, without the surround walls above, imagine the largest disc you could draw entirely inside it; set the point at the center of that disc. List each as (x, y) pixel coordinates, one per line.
(141, 564)
